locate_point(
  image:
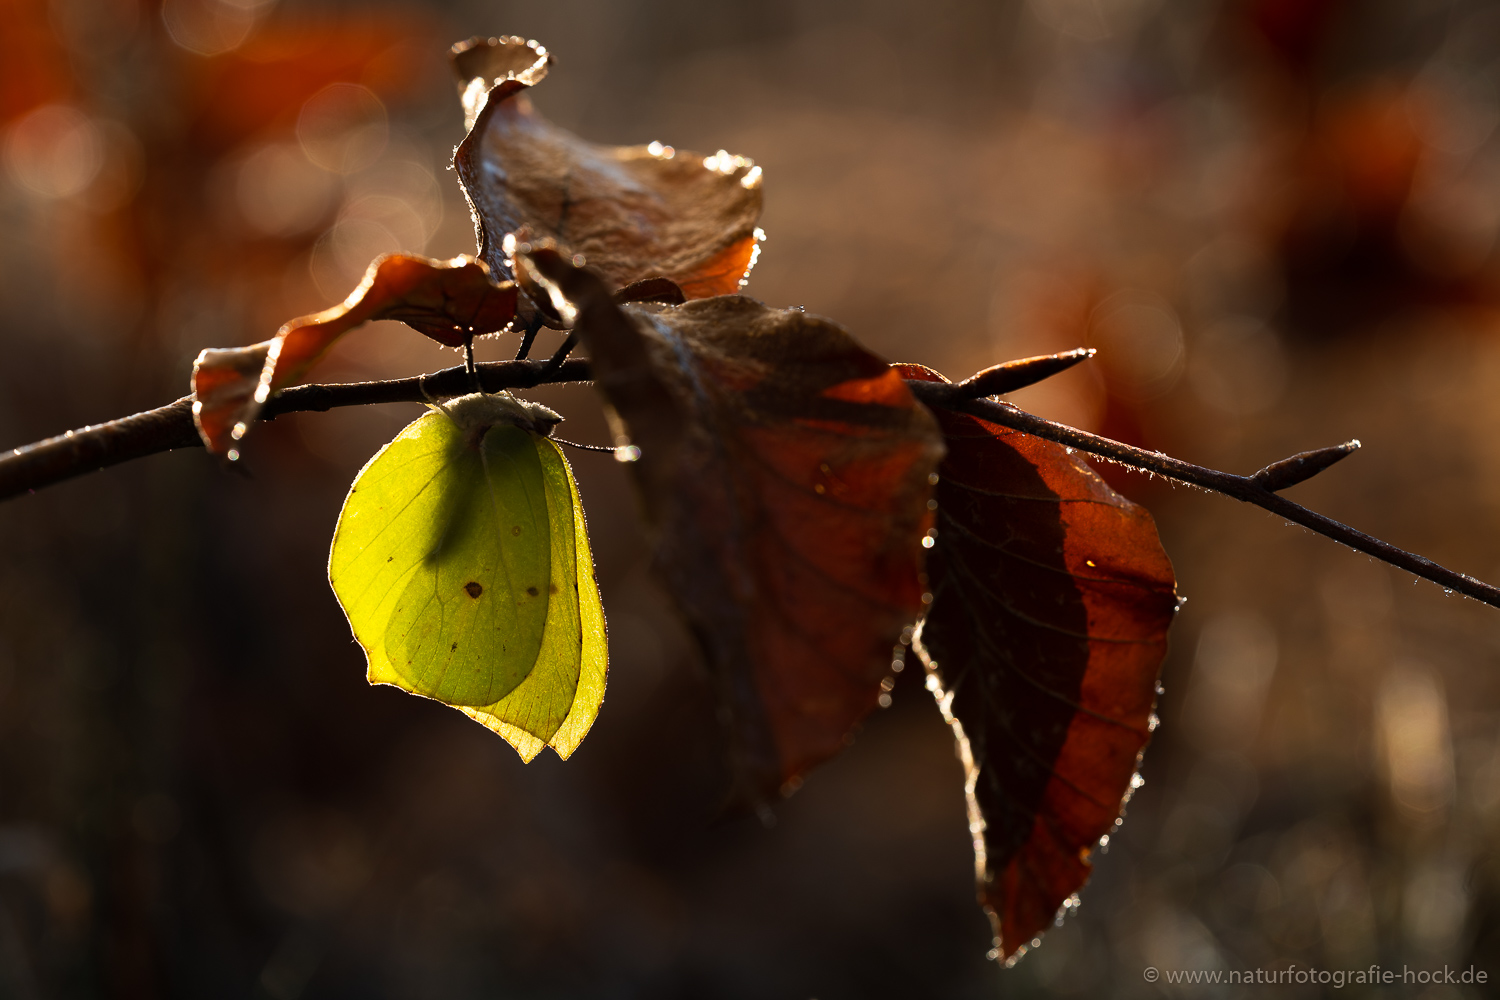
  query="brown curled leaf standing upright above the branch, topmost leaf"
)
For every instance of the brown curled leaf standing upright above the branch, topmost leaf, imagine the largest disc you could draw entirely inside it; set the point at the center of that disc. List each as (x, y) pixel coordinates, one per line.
(635, 212)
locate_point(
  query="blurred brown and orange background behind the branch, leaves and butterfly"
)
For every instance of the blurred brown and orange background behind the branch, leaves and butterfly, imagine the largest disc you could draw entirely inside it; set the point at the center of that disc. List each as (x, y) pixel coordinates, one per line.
(1276, 220)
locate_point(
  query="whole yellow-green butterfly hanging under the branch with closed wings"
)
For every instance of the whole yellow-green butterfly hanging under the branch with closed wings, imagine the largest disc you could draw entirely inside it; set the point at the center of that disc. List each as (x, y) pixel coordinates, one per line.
(463, 564)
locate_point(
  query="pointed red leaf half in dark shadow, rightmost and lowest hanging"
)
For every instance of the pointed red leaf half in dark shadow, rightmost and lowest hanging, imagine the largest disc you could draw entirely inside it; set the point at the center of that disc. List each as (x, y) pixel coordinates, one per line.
(1052, 599)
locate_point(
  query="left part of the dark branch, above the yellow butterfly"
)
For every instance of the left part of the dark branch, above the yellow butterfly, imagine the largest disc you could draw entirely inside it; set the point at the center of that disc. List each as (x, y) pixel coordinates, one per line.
(169, 428)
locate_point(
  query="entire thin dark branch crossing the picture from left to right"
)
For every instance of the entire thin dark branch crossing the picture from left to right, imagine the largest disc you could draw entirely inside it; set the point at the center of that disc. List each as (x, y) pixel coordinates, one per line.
(167, 428)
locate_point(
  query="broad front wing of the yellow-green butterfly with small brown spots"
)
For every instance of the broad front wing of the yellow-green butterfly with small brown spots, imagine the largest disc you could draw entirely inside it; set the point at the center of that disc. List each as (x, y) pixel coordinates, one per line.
(442, 561)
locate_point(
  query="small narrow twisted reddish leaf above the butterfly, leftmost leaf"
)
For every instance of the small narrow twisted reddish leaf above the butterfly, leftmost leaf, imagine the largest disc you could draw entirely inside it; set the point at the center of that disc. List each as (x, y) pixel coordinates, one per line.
(448, 301)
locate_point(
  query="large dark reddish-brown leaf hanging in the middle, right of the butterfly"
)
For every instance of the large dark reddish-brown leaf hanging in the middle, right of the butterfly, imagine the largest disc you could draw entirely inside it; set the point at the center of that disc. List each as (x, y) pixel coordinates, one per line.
(785, 475)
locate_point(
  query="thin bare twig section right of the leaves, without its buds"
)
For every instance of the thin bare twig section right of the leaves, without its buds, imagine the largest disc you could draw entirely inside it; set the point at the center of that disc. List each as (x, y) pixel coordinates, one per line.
(1241, 488)
